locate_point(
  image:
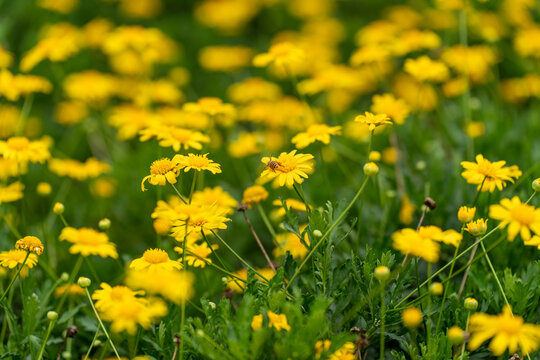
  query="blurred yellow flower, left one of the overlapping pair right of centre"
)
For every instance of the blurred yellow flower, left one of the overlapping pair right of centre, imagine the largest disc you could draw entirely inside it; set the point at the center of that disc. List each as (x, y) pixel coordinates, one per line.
(409, 242)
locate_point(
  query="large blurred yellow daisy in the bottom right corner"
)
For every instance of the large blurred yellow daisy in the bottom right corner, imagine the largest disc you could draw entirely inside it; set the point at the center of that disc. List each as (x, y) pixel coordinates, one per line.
(507, 330)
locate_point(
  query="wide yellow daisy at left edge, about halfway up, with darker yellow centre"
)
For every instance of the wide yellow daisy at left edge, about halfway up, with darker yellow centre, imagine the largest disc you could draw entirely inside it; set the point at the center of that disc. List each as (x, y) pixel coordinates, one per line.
(23, 150)
